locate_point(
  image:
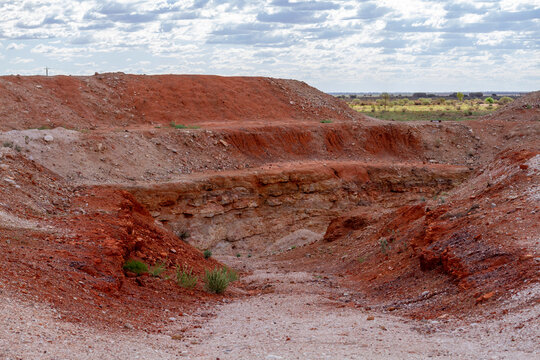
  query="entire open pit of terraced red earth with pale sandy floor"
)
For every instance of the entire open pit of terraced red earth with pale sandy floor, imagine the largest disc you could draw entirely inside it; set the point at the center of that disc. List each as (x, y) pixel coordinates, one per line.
(341, 227)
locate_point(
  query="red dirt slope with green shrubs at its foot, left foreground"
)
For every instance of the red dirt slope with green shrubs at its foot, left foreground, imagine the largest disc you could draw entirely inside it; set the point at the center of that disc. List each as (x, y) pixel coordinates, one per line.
(67, 245)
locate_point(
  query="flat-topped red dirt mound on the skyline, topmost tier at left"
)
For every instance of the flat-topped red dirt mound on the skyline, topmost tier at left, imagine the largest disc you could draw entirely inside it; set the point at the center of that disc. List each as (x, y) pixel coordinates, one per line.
(117, 99)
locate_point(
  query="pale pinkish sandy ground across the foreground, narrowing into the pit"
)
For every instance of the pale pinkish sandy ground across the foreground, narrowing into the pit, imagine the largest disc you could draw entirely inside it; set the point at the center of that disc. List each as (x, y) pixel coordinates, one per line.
(293, 318)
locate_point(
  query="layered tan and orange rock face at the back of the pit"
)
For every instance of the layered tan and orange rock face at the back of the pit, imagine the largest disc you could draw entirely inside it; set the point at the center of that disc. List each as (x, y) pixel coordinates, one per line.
(248, 211)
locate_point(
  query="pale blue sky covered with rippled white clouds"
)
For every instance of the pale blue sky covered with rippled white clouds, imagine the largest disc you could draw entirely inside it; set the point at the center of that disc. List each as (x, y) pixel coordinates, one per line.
(382, 45)
